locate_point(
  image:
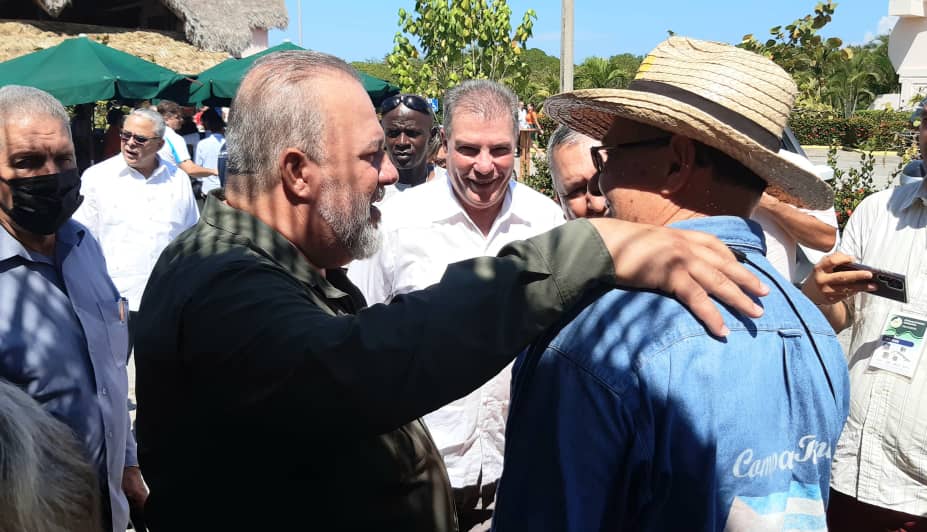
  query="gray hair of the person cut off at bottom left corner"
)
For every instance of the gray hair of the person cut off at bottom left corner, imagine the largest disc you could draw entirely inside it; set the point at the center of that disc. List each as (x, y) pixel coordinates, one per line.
(46, 481)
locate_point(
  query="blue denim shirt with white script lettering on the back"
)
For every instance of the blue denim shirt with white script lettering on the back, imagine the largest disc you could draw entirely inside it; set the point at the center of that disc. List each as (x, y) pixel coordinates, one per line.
(633, 417)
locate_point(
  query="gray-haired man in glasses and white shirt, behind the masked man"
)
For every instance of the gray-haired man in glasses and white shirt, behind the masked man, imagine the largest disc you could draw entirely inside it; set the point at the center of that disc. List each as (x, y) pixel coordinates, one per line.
(135, 203)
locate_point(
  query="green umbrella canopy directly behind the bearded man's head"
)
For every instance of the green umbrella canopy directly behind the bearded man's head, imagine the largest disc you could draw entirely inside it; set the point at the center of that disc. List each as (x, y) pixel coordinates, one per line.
(216, 86)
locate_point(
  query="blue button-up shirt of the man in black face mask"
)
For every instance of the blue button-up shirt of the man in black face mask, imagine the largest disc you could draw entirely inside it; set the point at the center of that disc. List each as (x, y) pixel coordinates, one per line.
(63, 342)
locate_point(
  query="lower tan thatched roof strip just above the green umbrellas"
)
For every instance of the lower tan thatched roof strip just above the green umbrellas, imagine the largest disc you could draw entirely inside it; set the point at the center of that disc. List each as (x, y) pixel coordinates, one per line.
(167, 49)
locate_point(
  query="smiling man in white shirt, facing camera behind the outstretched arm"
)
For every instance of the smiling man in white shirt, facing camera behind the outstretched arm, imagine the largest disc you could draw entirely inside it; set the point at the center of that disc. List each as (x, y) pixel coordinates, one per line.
(475, 210)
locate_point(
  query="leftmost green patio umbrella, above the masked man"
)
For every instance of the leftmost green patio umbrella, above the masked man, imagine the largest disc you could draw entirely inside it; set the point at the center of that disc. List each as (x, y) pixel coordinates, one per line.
(81, 70)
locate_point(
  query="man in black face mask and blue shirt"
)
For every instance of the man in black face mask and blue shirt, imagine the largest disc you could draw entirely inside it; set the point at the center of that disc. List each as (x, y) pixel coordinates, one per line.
(62, 323)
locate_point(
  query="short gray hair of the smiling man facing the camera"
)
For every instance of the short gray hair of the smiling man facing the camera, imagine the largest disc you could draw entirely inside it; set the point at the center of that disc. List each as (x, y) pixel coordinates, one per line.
(488, 99)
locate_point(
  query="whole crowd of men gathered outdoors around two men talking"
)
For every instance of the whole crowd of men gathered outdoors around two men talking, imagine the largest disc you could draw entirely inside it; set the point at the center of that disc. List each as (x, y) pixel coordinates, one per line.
(370, 324)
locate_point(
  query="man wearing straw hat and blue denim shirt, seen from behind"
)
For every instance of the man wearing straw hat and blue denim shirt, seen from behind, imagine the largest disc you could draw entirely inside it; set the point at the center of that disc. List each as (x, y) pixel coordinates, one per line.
(632, 417)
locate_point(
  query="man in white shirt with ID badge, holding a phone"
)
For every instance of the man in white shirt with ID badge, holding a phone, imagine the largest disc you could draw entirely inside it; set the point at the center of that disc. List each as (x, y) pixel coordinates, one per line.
(879, 479)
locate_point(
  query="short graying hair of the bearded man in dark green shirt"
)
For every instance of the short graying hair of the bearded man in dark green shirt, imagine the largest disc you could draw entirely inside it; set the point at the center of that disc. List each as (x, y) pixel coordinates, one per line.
(277, 107)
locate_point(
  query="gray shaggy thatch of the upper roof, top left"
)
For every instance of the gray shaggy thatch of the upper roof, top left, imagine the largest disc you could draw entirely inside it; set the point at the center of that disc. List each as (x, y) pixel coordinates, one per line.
(213, 24)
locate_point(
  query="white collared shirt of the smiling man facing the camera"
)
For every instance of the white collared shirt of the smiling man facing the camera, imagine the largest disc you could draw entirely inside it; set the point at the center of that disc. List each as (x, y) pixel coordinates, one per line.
(425, 229)
